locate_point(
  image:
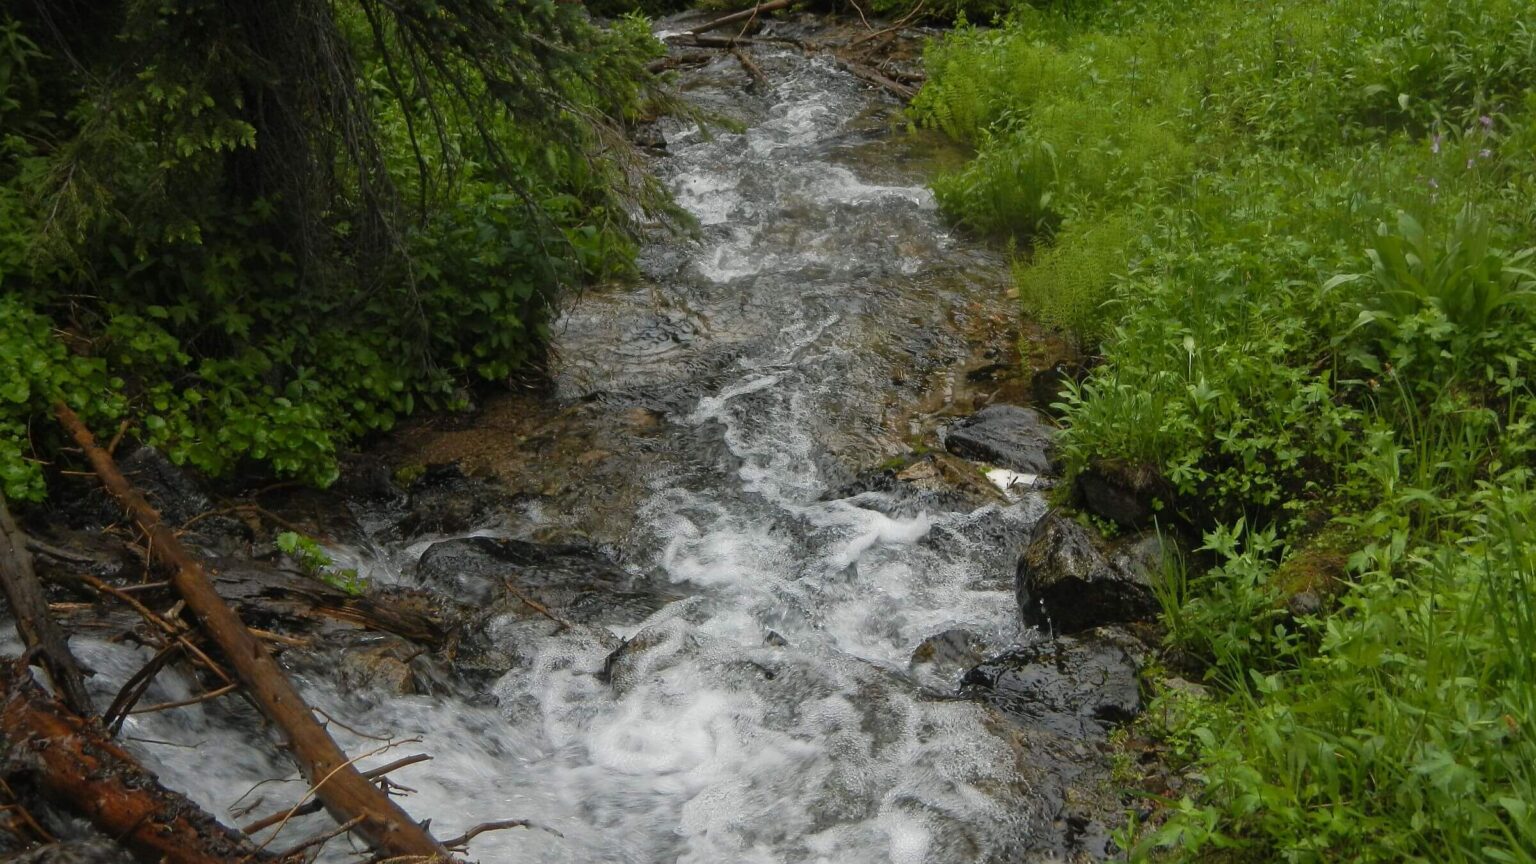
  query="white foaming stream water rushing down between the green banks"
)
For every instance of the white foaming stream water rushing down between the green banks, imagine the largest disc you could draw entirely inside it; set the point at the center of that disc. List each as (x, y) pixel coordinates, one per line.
(773, 713)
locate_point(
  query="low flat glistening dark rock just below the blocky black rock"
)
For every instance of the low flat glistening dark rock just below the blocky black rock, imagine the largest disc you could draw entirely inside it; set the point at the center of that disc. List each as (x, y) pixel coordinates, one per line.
(1074, 686)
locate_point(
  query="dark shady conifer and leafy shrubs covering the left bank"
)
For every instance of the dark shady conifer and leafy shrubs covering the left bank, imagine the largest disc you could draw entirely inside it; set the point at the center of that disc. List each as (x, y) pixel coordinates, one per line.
(257, 231)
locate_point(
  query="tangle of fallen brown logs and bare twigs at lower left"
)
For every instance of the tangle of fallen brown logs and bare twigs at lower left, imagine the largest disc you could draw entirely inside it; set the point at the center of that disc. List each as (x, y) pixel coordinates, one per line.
(64, 749)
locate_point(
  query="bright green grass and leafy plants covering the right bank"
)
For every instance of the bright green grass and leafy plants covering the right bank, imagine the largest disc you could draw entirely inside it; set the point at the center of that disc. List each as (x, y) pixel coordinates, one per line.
(1296, 236)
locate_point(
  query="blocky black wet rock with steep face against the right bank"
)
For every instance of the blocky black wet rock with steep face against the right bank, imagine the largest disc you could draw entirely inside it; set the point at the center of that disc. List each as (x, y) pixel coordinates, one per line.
(1071, 580)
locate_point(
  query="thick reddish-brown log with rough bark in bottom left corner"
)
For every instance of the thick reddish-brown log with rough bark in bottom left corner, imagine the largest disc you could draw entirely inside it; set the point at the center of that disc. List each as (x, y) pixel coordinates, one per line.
(76, 766)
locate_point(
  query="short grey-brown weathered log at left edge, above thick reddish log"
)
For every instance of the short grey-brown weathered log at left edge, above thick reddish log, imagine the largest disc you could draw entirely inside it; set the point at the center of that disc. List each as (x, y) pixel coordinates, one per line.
(33, 620)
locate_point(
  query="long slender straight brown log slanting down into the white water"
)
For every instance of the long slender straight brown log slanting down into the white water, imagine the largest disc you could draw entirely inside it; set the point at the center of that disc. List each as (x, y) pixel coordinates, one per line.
(339, 785)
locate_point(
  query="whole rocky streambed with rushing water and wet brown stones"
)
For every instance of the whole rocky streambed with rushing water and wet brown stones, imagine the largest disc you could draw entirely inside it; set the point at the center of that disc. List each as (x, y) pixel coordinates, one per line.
(761, 573)
